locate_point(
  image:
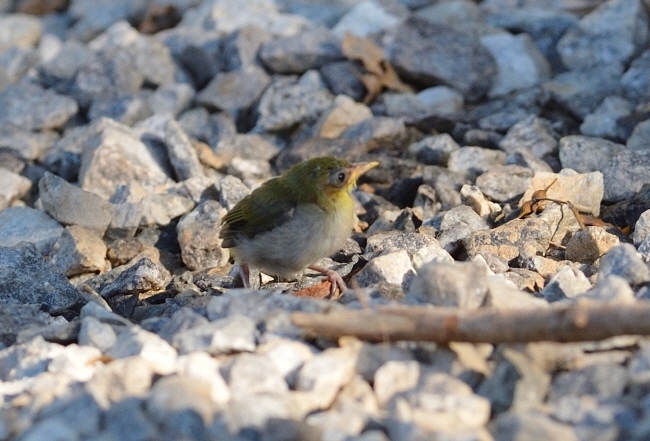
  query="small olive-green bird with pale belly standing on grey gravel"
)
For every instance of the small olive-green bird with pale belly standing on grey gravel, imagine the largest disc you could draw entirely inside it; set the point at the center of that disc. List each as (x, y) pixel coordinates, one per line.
(293, 220)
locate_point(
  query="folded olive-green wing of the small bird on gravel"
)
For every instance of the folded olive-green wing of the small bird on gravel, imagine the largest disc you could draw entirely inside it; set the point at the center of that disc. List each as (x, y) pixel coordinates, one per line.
(265, 208)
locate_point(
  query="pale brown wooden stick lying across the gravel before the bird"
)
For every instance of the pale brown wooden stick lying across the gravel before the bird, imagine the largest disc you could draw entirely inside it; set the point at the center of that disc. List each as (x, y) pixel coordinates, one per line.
(580, 321)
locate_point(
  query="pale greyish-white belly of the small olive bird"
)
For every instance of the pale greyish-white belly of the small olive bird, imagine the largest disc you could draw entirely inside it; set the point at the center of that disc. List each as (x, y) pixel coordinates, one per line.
(307, 237)
